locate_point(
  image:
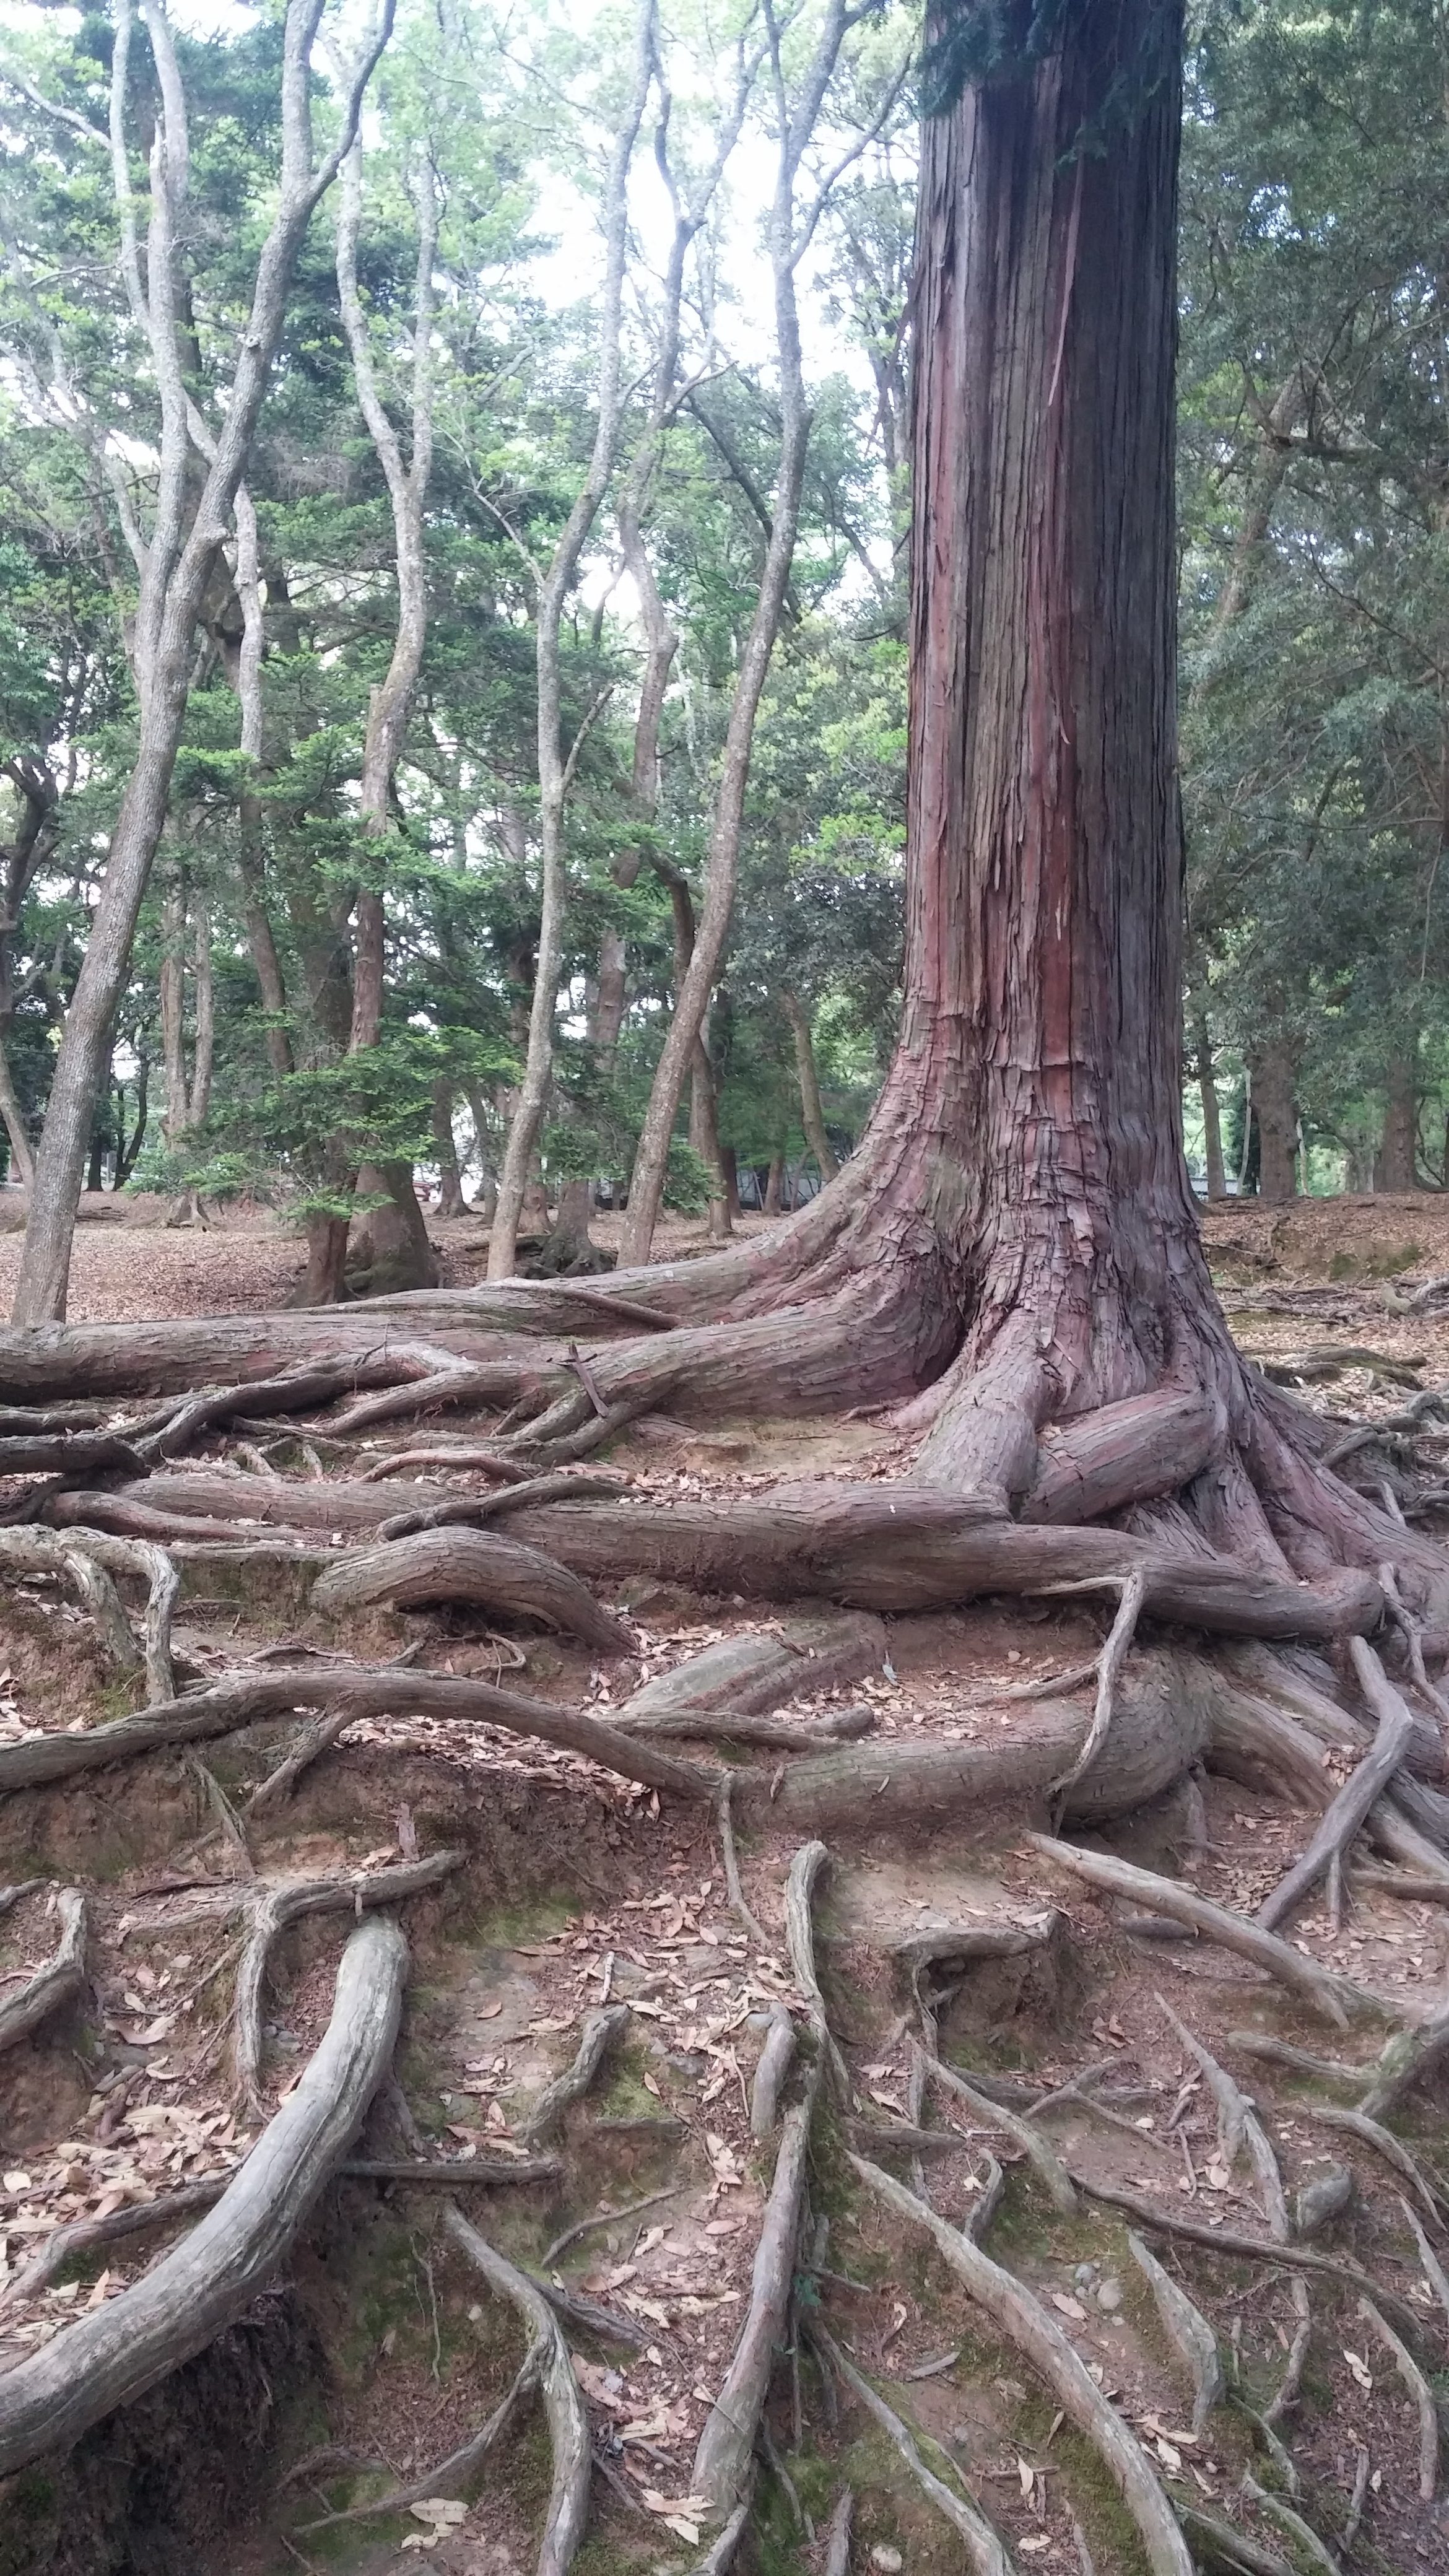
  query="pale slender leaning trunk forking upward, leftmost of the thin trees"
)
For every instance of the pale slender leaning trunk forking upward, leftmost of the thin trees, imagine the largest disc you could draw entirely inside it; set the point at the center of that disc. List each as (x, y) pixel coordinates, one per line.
(179, 568)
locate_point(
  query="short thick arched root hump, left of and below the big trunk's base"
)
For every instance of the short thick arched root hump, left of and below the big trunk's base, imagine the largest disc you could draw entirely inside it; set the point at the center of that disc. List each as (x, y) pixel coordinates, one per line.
(468, 1567)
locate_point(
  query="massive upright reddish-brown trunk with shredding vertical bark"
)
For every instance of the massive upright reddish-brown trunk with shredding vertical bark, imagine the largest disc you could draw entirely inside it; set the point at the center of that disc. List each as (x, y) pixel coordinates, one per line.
(1035, 1104)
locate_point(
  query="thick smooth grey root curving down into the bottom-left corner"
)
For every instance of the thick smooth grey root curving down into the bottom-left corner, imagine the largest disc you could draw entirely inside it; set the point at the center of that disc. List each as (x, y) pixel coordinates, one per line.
(210, 2278)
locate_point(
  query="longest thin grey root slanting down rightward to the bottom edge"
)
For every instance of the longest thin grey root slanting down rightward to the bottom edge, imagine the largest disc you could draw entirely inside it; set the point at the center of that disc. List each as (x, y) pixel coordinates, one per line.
(1033, 2333)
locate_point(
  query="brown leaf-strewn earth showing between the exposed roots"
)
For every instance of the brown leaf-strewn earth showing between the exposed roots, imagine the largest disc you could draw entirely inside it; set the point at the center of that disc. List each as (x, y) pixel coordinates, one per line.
(383, 2353)
